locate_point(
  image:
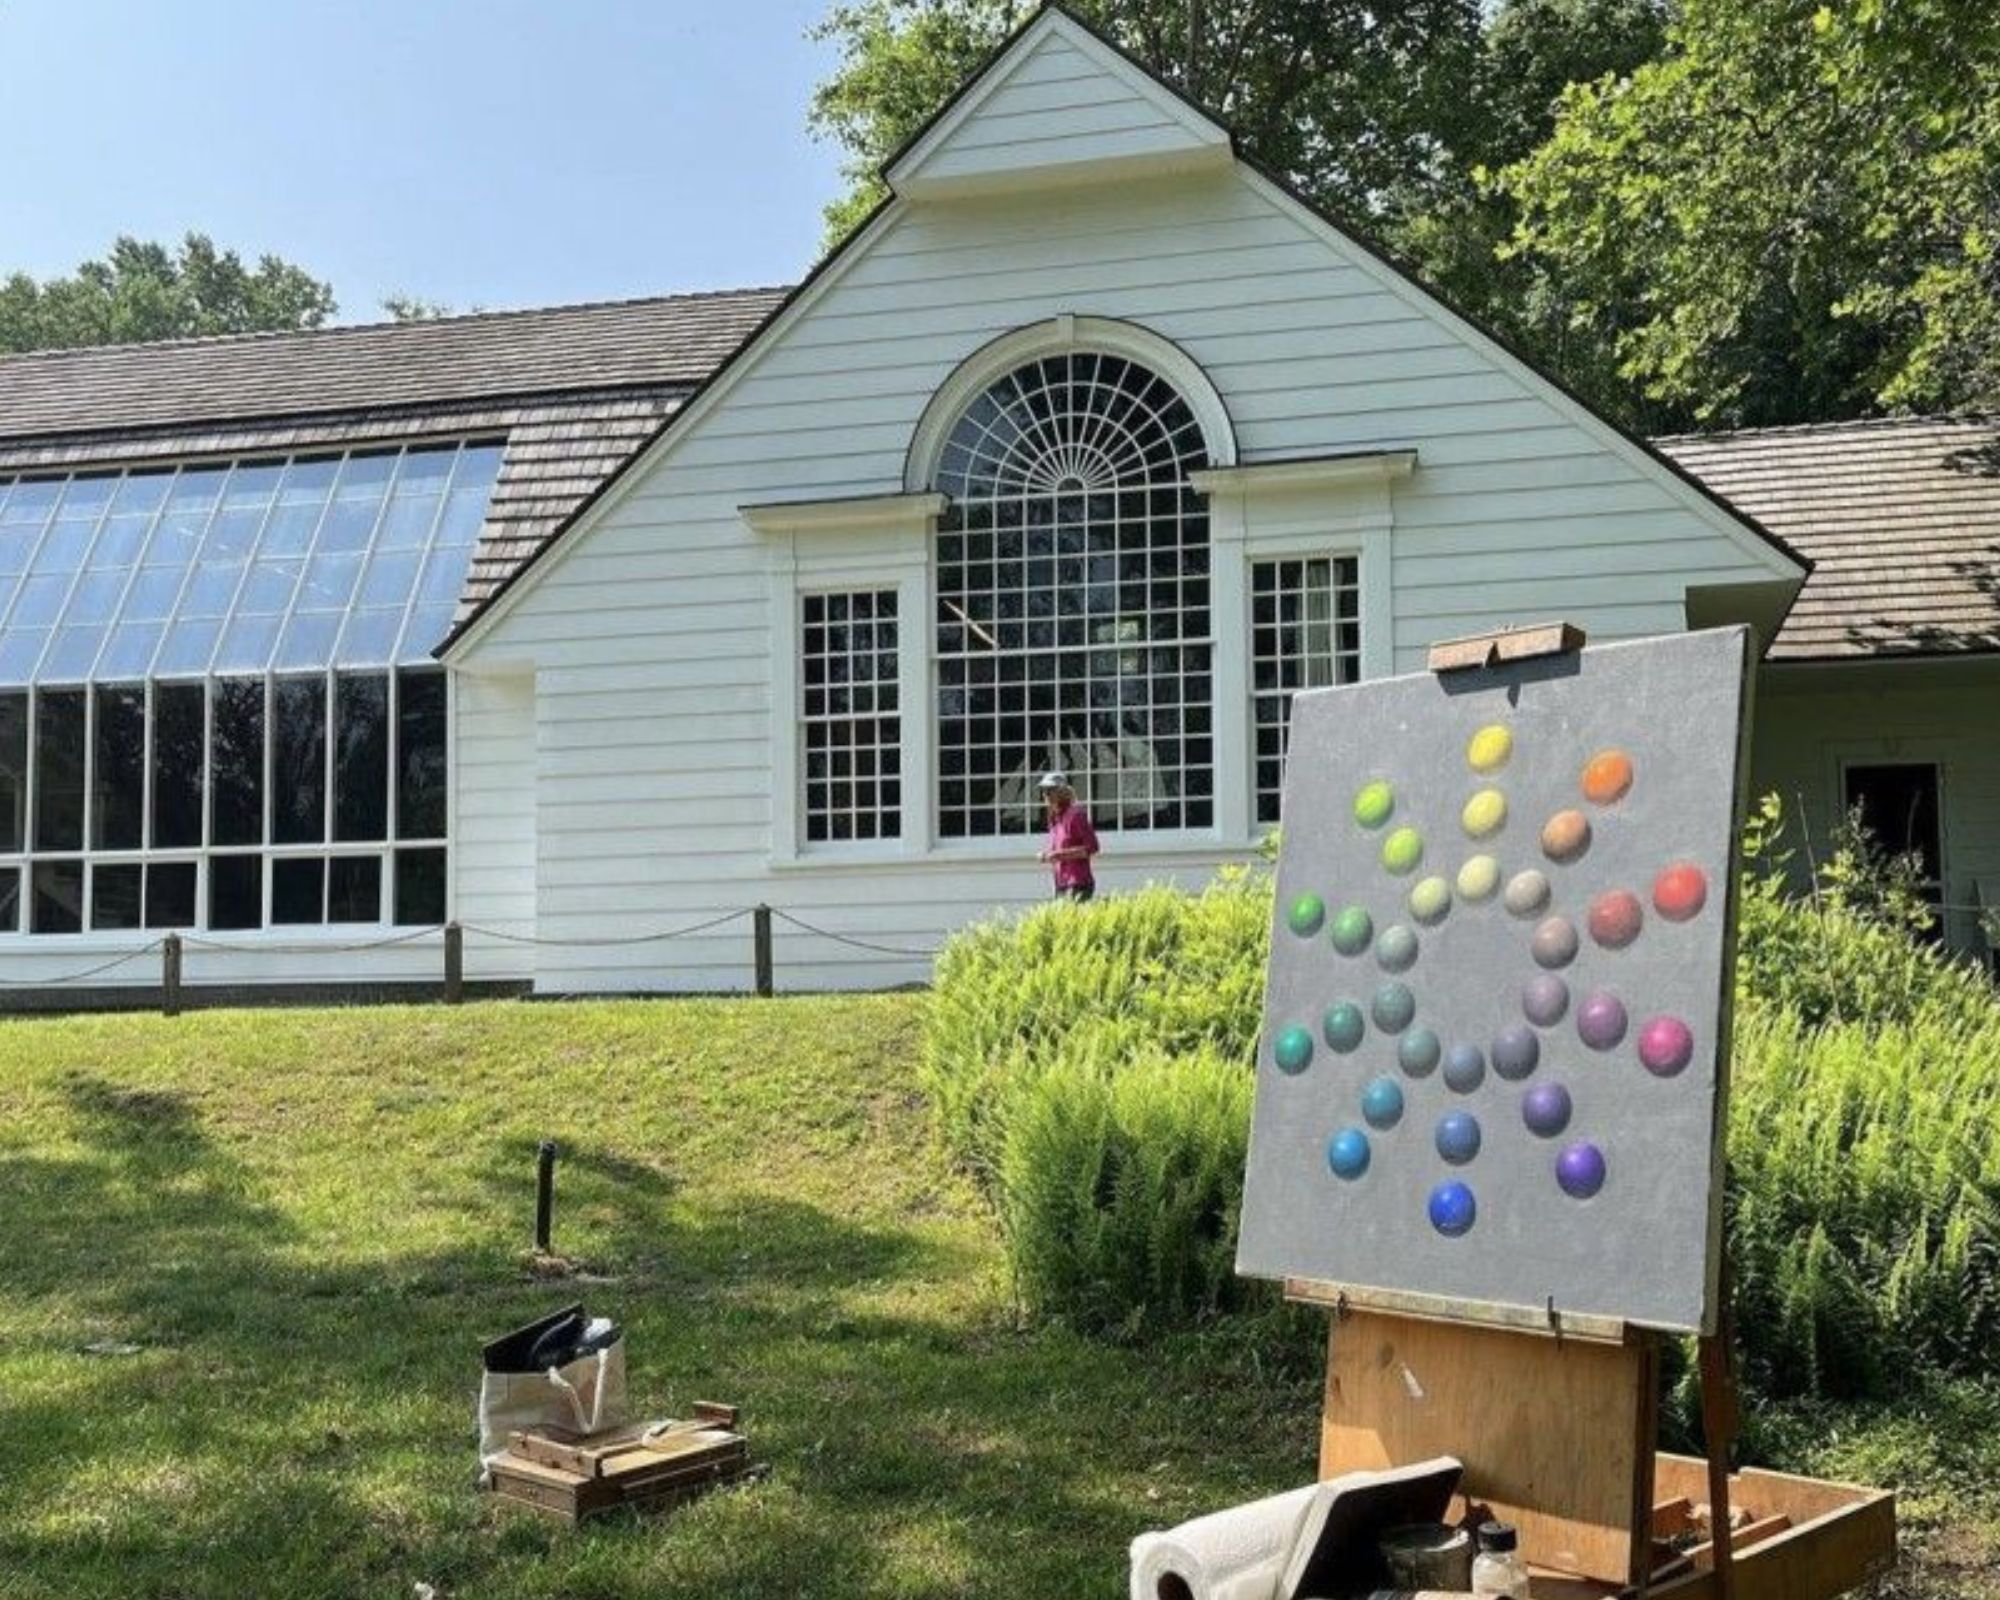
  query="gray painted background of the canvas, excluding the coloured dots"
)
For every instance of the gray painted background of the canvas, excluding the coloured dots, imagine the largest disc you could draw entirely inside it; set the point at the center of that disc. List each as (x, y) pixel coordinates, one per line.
(1645, 1247)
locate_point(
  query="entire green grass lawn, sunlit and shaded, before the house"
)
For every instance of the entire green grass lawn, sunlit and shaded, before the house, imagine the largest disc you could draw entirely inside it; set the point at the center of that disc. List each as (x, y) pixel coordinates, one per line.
(309, 1221)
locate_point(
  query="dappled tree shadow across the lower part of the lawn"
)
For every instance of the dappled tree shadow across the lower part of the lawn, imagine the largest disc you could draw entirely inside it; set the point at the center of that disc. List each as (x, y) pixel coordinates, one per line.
(305, 1429)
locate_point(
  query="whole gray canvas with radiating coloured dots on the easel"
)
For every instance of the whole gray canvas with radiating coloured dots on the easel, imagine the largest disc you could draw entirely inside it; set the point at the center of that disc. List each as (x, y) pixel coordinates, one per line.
(1495, 1031)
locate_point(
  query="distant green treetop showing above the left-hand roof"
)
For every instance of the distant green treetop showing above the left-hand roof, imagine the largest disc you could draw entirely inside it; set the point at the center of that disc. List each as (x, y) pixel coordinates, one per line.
(145, 291)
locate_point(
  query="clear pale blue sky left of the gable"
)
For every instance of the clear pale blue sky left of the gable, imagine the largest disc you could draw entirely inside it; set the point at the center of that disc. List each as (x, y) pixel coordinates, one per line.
(483, 155)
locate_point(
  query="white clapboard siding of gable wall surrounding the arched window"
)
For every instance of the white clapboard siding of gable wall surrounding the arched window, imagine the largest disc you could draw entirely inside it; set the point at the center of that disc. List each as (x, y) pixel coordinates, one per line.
(651, 633)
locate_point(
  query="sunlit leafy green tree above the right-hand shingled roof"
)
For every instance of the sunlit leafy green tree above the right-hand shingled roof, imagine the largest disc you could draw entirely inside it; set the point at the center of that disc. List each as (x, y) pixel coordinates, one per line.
(1791, 215)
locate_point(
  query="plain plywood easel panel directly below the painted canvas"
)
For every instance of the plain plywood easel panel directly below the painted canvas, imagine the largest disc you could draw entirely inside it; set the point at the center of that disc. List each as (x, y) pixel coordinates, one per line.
(1557, 1435)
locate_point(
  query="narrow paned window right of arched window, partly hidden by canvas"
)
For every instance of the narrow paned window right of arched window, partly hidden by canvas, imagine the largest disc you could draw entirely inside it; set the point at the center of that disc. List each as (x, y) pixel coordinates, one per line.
(1305, 633)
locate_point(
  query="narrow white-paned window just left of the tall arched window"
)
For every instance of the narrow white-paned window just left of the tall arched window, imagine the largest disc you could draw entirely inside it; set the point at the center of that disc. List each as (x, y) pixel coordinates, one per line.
(853, 717)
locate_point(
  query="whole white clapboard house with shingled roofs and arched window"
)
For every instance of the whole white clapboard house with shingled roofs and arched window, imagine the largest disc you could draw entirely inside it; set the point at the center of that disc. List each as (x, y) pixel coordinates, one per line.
(601, 623)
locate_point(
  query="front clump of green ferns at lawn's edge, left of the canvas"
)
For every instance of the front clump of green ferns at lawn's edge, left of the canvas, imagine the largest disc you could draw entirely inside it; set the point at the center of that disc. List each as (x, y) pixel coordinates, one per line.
(1121, 1191)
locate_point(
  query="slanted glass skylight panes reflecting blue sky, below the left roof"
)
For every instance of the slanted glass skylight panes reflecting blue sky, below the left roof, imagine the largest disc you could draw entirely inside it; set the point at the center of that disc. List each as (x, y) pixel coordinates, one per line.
(239, 567)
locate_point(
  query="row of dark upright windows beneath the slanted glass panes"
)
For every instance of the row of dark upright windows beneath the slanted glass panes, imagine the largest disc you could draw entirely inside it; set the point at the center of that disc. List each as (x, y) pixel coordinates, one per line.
(227, 805)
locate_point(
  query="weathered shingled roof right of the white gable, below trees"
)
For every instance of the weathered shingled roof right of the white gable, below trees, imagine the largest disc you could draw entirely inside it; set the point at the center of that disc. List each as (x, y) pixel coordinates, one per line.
(1901, 519)
